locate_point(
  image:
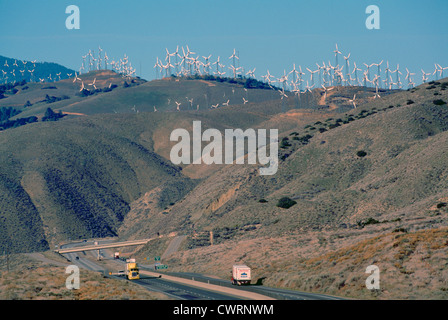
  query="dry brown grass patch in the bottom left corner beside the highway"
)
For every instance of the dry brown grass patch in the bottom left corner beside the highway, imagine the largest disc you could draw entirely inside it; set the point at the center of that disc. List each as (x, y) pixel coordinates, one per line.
(28, 279)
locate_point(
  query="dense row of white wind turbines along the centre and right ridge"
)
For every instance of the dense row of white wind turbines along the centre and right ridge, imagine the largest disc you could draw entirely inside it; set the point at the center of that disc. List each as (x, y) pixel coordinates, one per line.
(187, 63)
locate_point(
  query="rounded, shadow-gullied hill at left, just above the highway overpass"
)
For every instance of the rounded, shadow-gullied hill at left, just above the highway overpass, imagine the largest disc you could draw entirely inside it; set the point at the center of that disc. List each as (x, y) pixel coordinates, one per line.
(75, 179)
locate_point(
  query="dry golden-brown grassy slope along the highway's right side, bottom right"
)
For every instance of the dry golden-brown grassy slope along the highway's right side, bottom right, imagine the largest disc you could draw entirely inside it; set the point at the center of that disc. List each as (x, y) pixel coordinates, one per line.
(412, 265)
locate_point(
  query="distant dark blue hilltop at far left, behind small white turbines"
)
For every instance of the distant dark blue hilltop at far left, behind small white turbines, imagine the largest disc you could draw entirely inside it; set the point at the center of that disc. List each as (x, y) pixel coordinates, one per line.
(16, 70)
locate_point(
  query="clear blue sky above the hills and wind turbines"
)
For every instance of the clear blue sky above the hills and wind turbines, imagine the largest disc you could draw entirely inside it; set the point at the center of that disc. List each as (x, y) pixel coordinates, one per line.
(268, 34)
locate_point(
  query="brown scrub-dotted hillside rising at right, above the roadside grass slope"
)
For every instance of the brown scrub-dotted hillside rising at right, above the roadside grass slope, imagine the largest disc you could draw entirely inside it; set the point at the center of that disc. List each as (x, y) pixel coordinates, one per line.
(326, 175)
